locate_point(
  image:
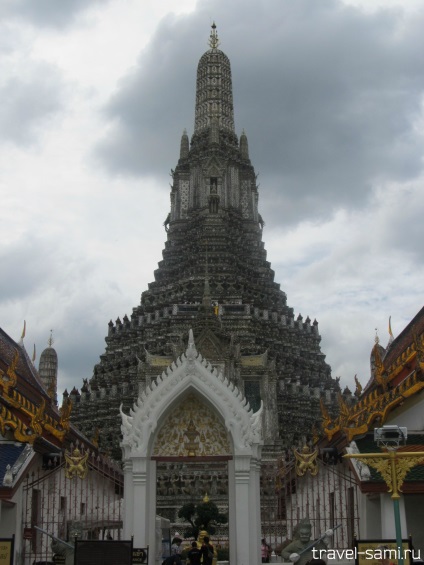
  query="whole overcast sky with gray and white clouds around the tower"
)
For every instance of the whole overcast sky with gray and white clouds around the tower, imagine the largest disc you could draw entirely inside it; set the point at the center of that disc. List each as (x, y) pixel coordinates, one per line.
(94, 98)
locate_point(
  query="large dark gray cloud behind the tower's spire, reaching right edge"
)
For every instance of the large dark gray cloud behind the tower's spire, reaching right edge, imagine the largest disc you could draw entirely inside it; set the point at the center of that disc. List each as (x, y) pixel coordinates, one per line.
(329, 97)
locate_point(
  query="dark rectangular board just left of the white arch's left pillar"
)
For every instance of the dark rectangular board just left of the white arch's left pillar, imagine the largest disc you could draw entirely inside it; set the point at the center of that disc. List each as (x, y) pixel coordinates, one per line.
(99, 552)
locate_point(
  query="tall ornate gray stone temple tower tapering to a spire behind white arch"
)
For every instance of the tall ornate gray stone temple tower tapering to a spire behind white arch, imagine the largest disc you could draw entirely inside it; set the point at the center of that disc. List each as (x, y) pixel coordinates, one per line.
(214, 278)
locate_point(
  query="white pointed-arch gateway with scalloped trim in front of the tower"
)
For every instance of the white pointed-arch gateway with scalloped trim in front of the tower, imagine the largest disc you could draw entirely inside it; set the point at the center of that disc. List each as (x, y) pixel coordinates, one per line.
(238, 431)
